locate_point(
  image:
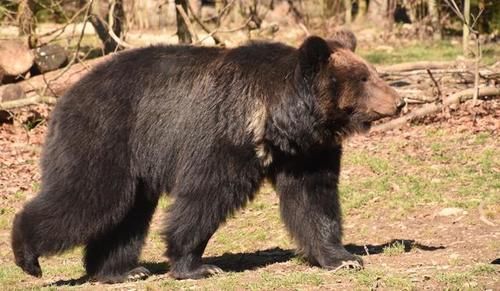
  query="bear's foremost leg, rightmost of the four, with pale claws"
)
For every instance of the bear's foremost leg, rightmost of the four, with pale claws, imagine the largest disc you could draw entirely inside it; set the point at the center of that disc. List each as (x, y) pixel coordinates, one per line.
(309, 202)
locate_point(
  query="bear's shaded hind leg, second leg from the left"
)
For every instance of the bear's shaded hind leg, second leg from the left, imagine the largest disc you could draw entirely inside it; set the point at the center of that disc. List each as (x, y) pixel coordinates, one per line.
(113, 257)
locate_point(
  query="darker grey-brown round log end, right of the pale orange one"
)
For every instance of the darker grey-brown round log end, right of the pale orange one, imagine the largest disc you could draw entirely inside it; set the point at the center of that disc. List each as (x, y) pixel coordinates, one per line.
(50, 57)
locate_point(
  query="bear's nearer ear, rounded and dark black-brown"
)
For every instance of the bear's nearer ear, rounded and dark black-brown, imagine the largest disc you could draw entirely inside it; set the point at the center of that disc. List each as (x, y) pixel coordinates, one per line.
(313, 53)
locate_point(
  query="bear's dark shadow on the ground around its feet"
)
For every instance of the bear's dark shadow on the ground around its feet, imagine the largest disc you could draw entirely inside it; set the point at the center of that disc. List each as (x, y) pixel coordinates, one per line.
(240, 262)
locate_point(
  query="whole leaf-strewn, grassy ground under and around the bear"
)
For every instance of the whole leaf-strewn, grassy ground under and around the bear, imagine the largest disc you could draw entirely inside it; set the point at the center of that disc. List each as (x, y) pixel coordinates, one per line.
(421, 205)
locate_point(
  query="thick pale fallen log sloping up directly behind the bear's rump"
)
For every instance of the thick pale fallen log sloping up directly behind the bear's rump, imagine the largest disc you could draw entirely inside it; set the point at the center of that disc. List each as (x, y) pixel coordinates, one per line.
(55, 83)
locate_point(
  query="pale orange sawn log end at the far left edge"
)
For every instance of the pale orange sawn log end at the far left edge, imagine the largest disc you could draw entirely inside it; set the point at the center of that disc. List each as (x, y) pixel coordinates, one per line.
(15, 57)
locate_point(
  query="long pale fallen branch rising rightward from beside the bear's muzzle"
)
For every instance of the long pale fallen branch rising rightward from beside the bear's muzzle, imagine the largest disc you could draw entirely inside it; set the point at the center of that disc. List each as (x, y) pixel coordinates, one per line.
(432, 108)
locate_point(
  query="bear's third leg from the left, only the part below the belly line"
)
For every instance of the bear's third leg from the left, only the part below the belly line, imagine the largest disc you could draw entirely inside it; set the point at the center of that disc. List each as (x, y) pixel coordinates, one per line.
(192, 221)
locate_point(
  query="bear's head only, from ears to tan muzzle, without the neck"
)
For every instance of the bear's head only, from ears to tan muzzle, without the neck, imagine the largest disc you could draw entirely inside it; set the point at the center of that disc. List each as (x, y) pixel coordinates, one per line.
(346, 89)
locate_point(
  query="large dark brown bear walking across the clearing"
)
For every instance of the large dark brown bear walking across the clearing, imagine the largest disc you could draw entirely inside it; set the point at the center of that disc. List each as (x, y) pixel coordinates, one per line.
(207, 125)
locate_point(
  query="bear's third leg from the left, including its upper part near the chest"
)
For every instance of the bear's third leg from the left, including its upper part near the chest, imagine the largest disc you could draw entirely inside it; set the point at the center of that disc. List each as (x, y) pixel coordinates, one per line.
(215, 191)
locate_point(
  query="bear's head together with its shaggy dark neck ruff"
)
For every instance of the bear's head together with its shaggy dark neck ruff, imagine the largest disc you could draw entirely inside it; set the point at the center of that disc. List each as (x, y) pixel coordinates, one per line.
(330, 94)
